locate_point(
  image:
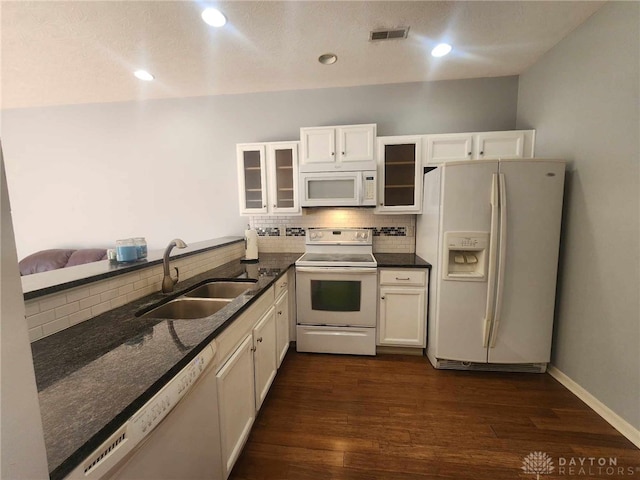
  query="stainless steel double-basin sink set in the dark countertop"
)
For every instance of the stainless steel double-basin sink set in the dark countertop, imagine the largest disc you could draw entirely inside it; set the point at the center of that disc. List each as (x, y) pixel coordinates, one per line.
(201, 301)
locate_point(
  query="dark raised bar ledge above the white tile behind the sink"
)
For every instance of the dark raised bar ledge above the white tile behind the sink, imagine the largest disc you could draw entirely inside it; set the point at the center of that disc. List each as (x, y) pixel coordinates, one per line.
(115, 269)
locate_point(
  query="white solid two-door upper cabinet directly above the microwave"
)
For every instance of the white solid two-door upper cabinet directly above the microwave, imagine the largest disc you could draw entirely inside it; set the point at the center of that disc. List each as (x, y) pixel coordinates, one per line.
(349, 147)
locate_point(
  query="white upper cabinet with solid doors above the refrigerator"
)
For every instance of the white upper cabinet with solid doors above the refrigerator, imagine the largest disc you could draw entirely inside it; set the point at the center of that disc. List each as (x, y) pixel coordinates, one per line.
(453, 147)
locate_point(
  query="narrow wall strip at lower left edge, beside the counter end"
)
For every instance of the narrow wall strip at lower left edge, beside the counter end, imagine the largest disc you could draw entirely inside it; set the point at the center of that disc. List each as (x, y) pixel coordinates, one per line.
(22, 450)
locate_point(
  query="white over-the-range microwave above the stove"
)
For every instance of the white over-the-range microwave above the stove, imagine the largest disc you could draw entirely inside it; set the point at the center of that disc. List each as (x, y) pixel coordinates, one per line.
(338, 189)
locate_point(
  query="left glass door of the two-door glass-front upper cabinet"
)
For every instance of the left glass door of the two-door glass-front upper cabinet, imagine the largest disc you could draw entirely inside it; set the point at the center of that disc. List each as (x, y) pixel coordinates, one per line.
(252, 178)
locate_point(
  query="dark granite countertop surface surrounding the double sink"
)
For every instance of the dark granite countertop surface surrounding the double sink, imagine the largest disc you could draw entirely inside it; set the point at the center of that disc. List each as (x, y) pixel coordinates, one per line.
(93, 376)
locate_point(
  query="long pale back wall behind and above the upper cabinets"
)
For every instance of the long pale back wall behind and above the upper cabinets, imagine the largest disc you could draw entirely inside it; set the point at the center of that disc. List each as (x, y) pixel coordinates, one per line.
(87, 175)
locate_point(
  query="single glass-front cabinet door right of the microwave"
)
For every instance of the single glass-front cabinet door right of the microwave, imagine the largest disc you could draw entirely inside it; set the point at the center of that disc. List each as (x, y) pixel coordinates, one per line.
(400, 174)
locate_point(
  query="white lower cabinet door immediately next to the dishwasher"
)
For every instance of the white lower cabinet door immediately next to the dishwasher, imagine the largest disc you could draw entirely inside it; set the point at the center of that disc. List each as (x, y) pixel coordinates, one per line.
(236, 405)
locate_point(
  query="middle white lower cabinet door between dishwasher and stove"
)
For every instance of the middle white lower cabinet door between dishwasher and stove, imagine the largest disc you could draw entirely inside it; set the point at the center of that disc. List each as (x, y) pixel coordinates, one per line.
(264, 355)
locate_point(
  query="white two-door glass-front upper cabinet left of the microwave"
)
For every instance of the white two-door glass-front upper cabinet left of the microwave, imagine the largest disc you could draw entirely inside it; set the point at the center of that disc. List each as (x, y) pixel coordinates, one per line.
(268, 178)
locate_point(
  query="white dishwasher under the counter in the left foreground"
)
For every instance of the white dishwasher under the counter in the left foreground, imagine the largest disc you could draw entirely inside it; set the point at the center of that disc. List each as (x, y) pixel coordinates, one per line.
(174, 436)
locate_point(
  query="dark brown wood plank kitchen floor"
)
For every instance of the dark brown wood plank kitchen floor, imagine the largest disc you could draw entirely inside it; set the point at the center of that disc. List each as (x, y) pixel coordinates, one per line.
(395, 417)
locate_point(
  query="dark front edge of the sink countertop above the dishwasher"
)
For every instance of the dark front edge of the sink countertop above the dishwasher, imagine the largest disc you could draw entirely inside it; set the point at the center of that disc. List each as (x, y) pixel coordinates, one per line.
(76, 458)
